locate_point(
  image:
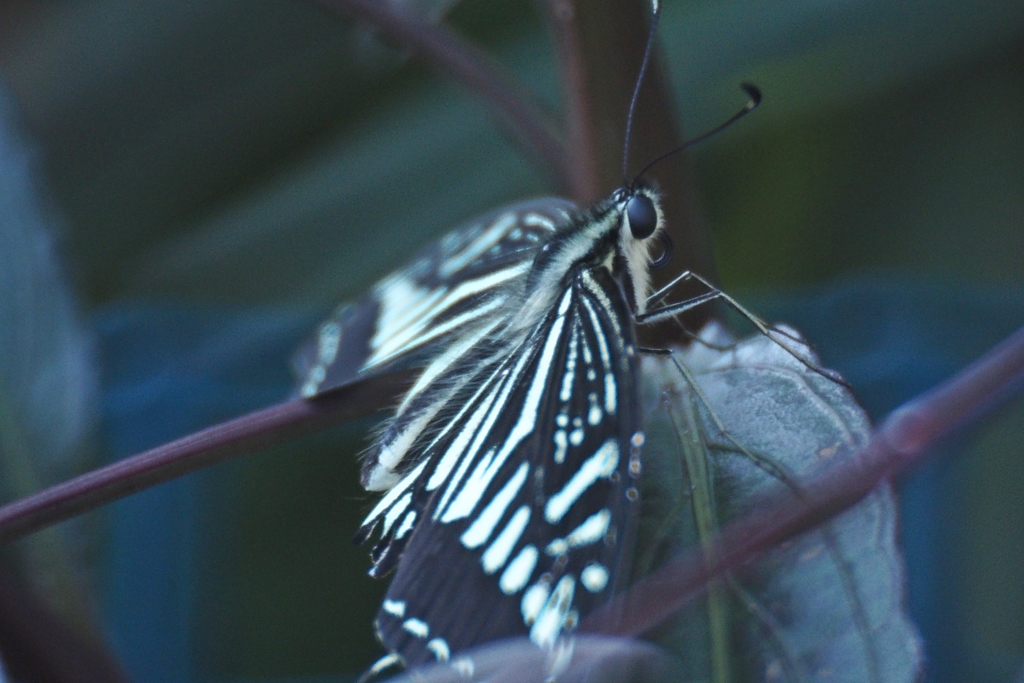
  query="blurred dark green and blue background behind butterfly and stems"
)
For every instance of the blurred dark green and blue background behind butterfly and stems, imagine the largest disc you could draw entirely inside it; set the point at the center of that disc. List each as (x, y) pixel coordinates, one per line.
(223, 173)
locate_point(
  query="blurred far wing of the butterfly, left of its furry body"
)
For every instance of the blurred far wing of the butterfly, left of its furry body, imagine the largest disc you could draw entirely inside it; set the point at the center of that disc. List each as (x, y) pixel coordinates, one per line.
(410, 315)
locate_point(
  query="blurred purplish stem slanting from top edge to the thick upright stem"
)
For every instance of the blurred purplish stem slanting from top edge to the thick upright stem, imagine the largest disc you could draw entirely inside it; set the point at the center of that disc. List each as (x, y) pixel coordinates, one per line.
(518, 110)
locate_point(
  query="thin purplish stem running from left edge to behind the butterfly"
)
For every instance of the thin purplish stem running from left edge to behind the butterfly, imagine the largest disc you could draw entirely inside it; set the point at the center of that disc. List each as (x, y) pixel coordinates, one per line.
(242, 436)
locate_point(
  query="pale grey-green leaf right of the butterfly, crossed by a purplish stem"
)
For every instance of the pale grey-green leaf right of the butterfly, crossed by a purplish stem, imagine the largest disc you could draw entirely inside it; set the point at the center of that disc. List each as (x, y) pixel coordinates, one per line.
(729, 423)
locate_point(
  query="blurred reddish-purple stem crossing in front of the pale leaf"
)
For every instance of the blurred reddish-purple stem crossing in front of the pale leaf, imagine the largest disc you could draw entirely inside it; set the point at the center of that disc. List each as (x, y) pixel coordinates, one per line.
(904, 440)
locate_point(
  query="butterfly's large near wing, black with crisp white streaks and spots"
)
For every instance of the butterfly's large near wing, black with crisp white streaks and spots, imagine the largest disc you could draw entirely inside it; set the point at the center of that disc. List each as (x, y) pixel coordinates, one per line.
(516, 521)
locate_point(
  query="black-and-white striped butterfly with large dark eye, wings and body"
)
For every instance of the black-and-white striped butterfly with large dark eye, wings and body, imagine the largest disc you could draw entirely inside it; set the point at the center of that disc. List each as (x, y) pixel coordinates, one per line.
(509, 471)
